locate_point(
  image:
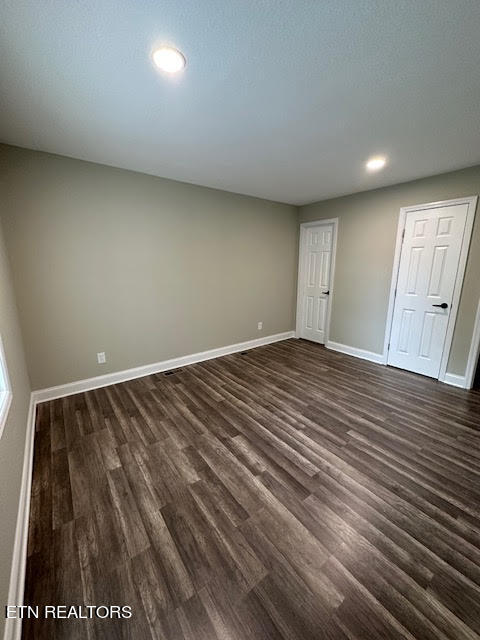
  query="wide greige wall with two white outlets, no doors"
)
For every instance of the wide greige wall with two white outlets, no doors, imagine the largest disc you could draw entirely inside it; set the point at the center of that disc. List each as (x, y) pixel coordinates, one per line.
(137, 266)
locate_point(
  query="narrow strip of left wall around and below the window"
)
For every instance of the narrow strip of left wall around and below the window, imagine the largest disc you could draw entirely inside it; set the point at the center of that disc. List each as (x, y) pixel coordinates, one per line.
(12, 442)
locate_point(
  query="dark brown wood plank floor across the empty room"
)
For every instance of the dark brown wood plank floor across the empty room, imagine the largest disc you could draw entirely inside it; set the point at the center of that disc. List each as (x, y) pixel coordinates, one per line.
(289, 492)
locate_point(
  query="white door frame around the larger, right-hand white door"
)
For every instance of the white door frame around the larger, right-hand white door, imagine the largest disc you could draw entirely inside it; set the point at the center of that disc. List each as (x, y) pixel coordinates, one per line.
(471, 201)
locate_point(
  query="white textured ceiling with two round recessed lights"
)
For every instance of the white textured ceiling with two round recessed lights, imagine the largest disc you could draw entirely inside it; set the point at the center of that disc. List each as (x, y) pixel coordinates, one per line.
(282, 99)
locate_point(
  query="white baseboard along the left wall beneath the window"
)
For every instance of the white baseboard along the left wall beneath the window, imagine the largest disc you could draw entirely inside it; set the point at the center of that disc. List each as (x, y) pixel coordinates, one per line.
(13, 626)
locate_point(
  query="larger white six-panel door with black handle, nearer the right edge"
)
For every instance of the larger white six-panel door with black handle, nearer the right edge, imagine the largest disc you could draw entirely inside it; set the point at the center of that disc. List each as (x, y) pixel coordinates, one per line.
(428, 266)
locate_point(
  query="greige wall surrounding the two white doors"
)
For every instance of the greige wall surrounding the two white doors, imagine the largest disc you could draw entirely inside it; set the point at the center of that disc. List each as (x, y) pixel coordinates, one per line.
(365, 248)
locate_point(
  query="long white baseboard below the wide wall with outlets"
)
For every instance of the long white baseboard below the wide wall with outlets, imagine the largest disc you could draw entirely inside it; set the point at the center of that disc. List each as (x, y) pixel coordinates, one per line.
(42, 395)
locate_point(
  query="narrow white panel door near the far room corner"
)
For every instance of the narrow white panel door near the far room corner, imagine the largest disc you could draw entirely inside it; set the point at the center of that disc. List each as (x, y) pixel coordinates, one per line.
(314, 286)
